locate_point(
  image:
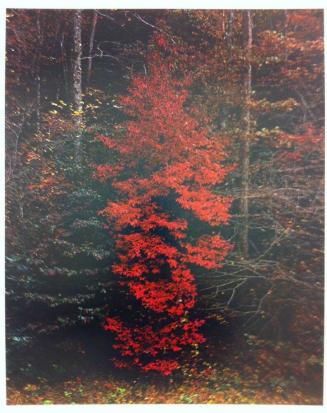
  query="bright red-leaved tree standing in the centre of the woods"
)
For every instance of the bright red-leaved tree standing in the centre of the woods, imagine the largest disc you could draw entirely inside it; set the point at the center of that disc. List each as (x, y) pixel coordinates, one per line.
(165, 166)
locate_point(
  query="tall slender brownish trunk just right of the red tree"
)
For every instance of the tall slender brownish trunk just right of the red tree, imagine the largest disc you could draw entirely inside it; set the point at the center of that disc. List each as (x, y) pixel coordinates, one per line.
(245, 155)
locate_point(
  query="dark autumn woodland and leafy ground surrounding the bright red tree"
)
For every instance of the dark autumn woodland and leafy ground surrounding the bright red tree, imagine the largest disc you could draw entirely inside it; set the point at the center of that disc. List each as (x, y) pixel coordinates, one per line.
(259, 76)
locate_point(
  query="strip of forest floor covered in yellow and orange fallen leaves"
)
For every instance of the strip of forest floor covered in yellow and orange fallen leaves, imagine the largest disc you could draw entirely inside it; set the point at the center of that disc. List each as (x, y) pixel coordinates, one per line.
(212, 385)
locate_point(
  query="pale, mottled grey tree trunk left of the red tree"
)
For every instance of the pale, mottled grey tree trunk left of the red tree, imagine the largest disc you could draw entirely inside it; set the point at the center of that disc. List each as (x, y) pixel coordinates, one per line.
(77, 84)
